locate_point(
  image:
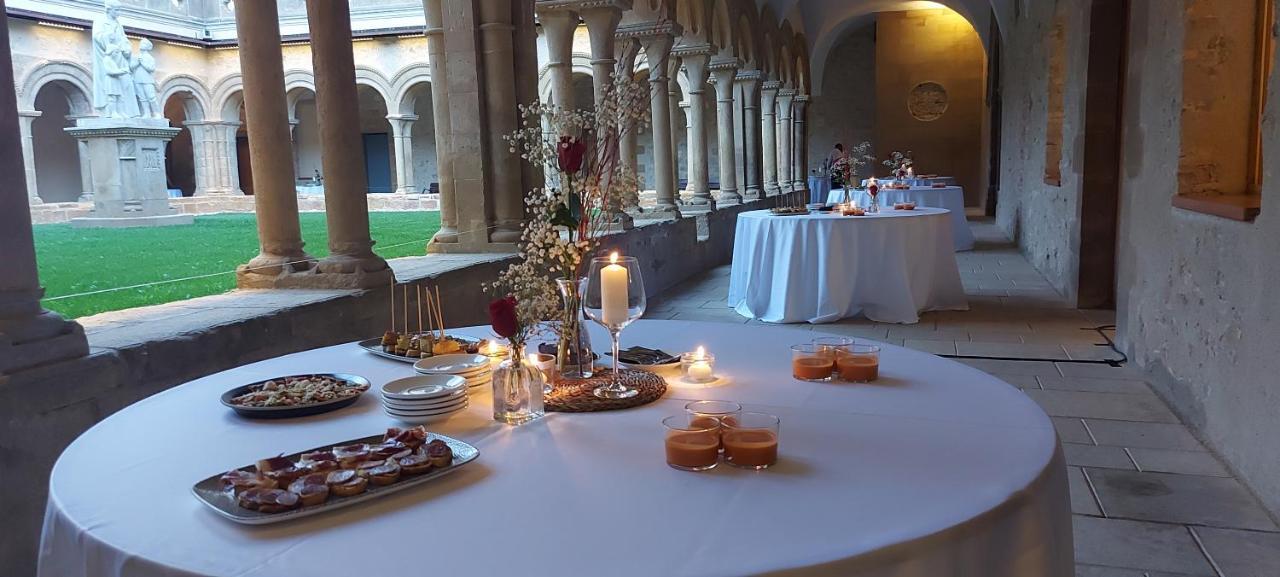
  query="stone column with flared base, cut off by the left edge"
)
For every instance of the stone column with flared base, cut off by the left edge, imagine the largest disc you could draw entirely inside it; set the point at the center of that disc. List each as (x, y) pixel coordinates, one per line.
(30, 336)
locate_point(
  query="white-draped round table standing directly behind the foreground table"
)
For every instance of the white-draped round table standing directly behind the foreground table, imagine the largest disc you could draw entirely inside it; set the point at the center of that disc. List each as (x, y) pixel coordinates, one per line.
(822, 268)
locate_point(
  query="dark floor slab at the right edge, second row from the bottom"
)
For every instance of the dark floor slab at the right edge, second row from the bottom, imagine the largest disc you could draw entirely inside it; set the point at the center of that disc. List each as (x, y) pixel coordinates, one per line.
(1217, 502)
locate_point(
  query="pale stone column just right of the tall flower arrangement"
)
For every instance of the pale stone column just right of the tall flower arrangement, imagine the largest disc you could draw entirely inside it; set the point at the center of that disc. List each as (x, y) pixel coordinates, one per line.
(657, 48)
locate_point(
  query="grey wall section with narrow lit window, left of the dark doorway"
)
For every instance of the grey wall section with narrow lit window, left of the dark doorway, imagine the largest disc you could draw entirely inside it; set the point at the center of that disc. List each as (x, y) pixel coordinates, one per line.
(1044, 218)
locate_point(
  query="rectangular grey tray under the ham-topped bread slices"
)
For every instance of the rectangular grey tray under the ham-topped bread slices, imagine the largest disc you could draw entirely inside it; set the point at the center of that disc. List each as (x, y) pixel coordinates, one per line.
(211, 492)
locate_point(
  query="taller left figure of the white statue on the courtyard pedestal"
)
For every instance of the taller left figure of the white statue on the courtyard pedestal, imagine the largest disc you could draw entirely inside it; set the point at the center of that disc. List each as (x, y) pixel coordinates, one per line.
(113, 81)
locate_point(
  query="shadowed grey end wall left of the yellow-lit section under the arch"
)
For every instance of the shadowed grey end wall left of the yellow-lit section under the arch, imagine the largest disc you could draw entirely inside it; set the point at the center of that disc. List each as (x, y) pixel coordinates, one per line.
(847, 111)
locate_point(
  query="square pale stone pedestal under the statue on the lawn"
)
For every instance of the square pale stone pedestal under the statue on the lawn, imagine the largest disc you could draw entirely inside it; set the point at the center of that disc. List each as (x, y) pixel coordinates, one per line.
(126, 162)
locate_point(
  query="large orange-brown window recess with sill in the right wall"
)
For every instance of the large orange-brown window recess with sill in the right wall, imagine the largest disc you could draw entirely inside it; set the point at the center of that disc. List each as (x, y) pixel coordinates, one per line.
(1228, 56)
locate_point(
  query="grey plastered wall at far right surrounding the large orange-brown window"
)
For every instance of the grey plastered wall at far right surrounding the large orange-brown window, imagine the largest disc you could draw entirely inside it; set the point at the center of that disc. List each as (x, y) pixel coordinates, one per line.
(1195, 292)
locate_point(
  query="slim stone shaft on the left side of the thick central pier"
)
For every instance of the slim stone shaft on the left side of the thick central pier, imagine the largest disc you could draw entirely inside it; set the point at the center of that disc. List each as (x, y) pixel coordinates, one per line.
(442, 117)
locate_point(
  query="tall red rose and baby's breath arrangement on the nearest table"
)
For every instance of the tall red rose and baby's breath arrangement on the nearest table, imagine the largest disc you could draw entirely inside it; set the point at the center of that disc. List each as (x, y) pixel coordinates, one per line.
(587, 187)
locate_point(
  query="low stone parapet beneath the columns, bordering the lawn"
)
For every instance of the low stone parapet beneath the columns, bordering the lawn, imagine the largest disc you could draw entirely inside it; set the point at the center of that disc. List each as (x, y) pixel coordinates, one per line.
(144, 351)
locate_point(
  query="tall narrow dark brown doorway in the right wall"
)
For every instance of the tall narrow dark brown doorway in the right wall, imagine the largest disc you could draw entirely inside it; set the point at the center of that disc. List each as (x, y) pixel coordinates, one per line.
(1104, 111)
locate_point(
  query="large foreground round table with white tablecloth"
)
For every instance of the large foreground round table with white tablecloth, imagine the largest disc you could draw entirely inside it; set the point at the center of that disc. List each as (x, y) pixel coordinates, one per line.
(935, 470)
